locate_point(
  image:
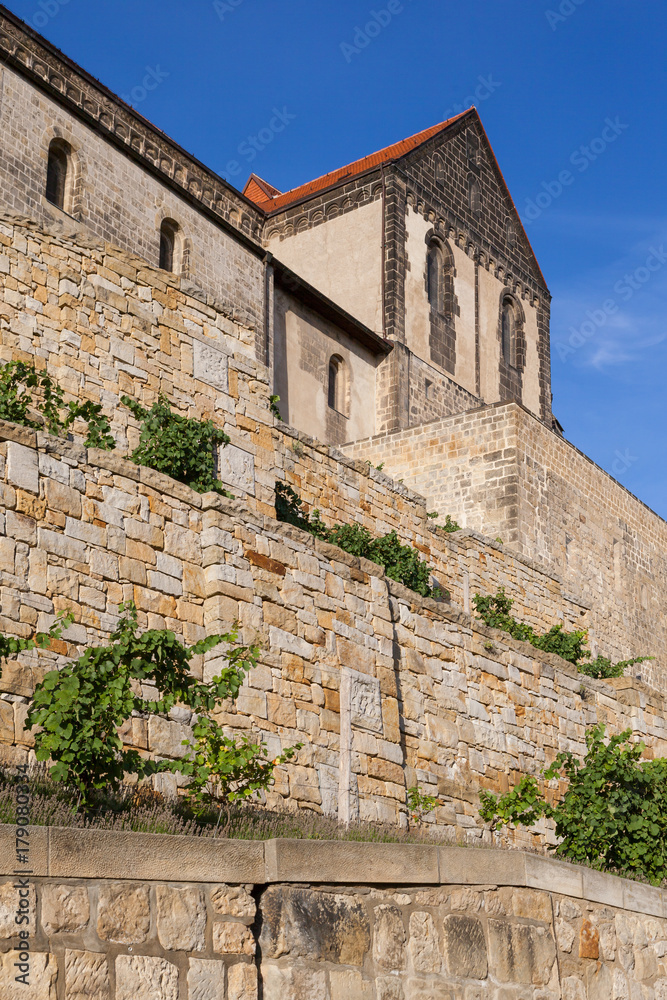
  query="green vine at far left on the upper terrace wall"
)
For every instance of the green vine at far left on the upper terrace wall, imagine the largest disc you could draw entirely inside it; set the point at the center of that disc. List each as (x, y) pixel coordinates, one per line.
(17, 379)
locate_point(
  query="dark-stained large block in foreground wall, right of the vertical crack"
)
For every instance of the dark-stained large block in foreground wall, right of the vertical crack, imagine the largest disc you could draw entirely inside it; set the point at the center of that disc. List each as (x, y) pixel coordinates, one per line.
(321, 926)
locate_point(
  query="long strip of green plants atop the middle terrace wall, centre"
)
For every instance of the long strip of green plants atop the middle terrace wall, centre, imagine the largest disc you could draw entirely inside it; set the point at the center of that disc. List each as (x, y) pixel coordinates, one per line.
(400, 562)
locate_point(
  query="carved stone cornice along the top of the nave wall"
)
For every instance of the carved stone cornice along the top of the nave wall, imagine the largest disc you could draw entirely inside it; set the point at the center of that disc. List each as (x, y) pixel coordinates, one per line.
(83, 96)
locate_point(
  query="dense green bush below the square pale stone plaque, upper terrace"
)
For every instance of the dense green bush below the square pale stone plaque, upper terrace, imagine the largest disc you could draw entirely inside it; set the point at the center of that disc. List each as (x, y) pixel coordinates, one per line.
(180, 447)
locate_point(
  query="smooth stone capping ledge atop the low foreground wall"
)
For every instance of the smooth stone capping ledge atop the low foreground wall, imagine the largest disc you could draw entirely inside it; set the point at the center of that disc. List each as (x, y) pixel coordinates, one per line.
(103, 854)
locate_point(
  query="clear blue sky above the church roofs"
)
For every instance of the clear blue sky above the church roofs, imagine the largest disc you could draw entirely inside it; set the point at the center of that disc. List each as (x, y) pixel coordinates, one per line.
(575, 86)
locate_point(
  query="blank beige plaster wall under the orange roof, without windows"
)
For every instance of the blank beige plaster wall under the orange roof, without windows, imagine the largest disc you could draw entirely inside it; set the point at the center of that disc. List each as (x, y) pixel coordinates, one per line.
(341, 256)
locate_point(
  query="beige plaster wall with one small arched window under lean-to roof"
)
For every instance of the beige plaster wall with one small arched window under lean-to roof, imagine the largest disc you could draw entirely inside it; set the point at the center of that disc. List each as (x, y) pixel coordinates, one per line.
(304, 345)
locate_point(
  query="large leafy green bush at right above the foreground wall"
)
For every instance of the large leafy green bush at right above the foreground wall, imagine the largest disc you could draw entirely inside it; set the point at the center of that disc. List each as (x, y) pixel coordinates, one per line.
(613, 815)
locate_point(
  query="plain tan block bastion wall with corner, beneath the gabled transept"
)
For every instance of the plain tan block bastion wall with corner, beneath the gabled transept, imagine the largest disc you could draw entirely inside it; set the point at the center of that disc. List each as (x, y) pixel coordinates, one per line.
(499, 470)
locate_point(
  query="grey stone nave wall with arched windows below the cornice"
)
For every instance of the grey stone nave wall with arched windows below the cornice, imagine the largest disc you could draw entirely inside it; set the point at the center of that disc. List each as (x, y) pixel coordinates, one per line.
(117, 200)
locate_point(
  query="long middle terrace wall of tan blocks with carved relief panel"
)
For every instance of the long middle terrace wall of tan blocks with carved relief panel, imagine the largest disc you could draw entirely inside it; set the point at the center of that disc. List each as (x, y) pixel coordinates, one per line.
(385, 689)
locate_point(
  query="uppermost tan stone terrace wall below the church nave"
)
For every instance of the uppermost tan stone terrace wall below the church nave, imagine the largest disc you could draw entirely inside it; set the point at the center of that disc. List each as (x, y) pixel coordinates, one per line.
(104, 324)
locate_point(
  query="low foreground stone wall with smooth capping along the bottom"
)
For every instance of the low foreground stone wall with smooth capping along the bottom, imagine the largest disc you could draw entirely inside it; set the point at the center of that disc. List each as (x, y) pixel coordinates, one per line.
(394, 923)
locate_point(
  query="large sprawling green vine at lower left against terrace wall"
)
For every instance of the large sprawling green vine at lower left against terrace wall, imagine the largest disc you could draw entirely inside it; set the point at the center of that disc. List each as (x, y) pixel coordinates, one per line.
(81, 707)
